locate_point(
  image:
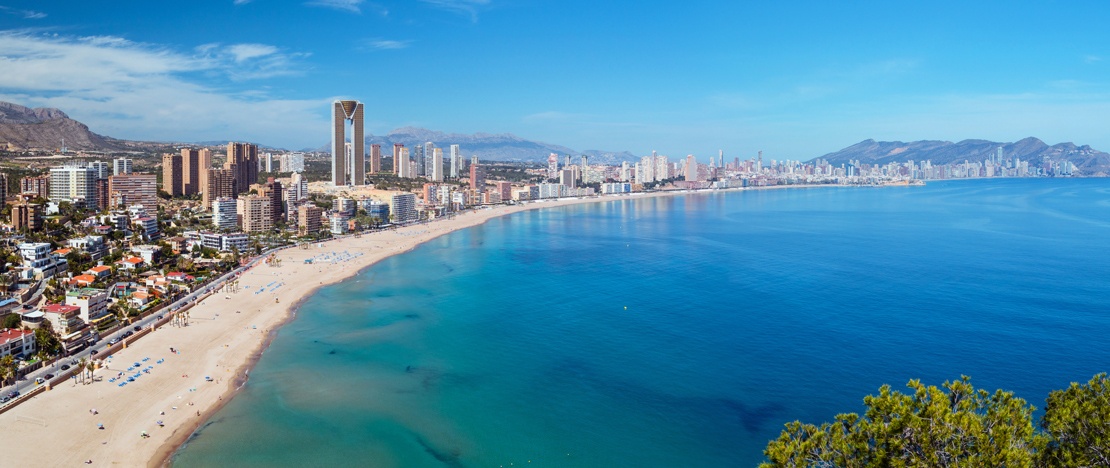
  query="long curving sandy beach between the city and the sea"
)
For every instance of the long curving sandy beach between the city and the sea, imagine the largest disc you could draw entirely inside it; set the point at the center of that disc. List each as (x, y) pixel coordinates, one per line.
(228, 332)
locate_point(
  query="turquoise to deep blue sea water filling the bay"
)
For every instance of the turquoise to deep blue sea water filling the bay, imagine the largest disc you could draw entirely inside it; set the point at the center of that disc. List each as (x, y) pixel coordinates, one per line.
(680, 331)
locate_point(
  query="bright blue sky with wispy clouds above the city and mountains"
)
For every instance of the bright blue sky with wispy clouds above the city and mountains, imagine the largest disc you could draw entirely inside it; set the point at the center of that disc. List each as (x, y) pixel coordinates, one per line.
(794, 79)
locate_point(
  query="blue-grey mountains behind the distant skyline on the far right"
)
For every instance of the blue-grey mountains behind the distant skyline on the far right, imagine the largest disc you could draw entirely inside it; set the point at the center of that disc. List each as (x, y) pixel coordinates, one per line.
(1087, 160)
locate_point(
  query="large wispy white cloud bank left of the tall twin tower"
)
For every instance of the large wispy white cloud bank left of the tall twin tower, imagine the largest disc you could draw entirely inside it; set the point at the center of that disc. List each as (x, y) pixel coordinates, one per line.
(150, 93)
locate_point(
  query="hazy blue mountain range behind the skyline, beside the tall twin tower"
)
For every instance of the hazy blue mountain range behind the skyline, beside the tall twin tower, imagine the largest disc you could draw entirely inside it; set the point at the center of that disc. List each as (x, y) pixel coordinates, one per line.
(488, 147)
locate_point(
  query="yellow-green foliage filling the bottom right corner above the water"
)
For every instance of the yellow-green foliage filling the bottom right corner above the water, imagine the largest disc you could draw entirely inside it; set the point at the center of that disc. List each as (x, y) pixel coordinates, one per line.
(956, 426)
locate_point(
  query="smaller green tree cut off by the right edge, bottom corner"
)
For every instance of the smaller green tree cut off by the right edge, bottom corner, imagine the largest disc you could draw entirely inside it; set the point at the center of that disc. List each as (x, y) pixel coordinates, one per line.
(1077, 421)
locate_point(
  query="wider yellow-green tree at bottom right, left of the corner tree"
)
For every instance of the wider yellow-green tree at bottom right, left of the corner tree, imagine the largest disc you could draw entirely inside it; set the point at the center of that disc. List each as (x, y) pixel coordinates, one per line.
(955, 426)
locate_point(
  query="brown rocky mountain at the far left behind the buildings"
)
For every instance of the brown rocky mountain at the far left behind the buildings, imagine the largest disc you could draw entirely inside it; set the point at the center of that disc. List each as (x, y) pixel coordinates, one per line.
(45, 128)
